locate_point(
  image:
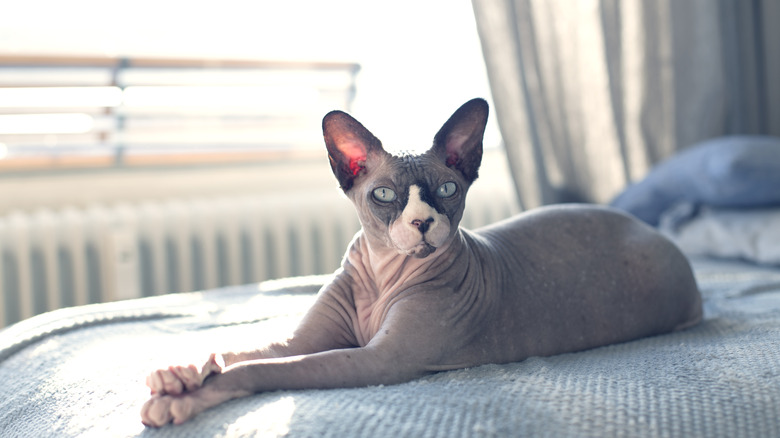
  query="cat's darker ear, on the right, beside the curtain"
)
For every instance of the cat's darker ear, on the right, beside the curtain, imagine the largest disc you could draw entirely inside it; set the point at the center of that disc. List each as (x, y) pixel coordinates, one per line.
(459, 141)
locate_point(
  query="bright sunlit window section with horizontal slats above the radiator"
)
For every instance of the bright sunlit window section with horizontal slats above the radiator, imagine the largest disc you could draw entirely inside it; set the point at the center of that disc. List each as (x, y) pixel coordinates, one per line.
(72, 112)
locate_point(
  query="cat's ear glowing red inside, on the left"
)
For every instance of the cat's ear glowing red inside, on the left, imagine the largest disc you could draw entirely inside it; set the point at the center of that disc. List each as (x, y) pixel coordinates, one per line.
(349, 145)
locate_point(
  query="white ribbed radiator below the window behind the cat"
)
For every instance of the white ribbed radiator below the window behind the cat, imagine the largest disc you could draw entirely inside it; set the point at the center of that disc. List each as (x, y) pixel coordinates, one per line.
(52, 259)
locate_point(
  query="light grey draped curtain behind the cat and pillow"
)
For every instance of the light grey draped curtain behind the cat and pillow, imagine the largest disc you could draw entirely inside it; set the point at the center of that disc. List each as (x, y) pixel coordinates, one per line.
(590, 94)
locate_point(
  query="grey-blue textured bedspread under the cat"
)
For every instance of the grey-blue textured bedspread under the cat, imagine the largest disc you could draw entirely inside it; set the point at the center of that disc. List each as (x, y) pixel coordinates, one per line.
(81, 371)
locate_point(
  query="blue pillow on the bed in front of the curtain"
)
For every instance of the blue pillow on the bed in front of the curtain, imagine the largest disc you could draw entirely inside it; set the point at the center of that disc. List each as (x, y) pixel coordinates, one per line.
(729, 172)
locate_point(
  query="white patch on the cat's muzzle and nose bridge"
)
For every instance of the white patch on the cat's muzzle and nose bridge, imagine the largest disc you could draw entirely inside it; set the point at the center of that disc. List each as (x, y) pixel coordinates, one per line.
(406, 234)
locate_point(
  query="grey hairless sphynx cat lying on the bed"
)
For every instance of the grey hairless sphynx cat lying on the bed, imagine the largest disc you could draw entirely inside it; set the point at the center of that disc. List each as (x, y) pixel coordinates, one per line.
(418, 295)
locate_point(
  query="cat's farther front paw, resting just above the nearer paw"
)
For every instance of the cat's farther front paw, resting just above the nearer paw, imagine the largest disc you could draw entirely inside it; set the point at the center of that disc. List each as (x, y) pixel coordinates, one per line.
(176, 380)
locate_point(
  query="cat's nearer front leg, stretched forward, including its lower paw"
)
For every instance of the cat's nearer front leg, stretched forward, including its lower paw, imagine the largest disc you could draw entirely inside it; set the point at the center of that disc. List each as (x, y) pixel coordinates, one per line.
(410, 344)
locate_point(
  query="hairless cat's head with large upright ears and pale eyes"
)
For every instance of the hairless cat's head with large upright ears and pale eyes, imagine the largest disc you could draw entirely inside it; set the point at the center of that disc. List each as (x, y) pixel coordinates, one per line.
(411, 203)
